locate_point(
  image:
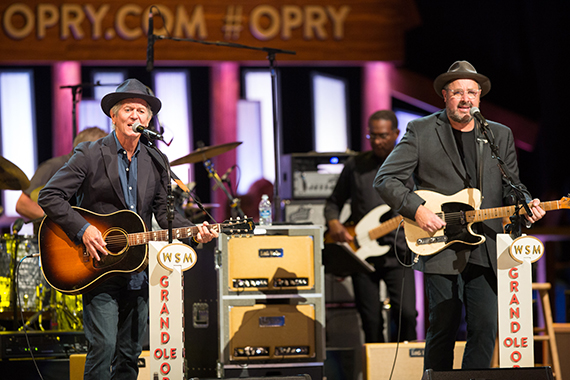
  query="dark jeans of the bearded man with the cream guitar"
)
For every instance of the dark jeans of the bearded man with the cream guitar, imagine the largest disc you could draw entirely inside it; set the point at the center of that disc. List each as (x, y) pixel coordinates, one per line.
(476, 289)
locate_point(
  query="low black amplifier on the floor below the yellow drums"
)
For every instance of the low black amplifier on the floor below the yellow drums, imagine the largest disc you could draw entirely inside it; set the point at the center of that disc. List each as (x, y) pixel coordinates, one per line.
(53, 344)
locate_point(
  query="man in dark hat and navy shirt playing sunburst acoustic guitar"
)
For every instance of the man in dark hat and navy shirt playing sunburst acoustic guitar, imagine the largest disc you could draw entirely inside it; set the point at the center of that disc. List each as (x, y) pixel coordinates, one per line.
(114, 173)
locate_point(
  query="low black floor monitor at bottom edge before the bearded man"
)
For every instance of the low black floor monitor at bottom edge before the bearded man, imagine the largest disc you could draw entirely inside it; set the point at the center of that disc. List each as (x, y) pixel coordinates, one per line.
(535, 373)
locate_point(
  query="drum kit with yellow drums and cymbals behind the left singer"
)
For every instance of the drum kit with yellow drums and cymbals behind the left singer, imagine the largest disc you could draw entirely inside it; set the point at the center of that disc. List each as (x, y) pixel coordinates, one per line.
(22, 284)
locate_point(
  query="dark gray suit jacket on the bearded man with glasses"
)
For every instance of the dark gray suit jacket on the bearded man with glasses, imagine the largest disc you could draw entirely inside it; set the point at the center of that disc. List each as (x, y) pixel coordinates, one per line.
(428, 152)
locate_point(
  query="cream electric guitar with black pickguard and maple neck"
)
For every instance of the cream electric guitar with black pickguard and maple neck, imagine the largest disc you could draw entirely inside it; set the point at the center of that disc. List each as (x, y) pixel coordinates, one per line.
(459, 211)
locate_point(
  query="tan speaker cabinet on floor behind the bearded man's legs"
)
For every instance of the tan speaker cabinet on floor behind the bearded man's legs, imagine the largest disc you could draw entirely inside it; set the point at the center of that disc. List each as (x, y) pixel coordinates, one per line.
(379, 358)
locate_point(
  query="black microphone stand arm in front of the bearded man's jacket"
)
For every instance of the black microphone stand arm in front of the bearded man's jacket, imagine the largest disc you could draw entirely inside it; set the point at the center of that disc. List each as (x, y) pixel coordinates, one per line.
(515, 227)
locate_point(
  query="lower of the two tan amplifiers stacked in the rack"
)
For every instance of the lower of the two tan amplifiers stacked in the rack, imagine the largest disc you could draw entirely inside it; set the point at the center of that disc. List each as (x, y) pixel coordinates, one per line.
(270, 332)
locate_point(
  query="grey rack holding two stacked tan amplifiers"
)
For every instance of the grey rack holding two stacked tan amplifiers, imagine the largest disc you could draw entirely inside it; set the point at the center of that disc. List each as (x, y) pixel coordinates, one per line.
(271, 298)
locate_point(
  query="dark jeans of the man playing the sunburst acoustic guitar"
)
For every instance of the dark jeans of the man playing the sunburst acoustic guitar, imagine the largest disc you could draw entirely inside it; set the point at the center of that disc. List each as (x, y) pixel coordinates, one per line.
(115, 324)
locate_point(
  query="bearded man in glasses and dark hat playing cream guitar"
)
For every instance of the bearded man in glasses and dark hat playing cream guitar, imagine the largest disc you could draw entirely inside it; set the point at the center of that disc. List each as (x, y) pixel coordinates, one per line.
(445, 153)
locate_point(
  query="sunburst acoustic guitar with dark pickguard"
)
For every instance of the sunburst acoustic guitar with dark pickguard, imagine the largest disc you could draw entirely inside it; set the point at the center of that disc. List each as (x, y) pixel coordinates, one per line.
(69, 268)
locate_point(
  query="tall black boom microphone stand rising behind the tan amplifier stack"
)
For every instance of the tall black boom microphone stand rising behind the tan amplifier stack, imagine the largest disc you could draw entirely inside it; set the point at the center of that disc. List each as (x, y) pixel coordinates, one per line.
(271, 52)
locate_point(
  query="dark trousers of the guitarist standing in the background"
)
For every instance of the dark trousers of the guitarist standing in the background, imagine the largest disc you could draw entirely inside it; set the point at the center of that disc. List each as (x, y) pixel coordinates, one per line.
(368, 303)
